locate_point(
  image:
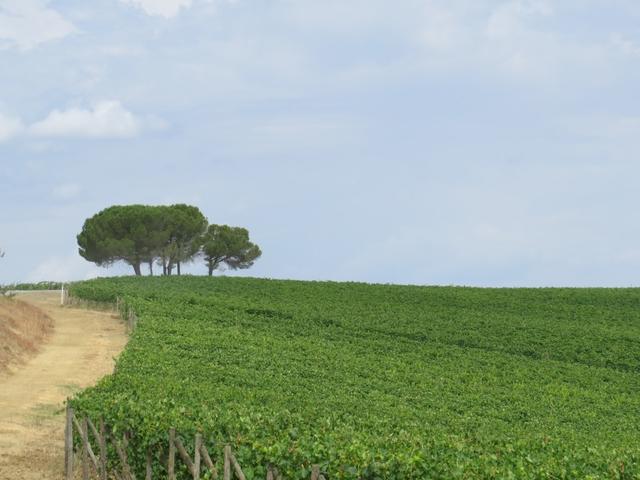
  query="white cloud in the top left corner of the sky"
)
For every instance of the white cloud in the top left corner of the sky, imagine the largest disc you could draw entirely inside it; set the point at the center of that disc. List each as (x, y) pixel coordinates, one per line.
(25, 24)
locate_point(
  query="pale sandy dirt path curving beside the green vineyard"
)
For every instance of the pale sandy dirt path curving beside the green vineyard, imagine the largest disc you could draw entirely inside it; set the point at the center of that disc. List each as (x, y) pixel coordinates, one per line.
(79, 352)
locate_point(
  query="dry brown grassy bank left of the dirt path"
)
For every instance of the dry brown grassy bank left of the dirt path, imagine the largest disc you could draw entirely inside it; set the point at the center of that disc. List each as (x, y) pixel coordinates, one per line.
(23, 328)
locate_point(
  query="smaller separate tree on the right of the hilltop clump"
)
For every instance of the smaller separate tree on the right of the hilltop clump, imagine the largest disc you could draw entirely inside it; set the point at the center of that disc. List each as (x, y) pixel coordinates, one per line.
(230, 246)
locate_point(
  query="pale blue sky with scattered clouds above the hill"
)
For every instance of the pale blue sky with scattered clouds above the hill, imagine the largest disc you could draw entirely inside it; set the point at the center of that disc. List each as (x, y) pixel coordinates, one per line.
(439, 142)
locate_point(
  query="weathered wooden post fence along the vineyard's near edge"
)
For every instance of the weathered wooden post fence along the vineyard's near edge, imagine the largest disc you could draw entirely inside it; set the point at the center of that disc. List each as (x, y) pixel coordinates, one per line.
(95, 465)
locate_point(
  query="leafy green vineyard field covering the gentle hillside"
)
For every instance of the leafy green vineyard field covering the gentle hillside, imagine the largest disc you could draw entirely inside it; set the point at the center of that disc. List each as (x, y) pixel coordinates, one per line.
(379, 381)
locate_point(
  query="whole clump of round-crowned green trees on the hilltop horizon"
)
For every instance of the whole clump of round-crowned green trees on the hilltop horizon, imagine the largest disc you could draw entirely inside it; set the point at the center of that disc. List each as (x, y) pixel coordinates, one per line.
(166, 236)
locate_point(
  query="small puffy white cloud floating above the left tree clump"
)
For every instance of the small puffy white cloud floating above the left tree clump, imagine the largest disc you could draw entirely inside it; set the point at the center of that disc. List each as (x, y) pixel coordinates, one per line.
(107, 119)
